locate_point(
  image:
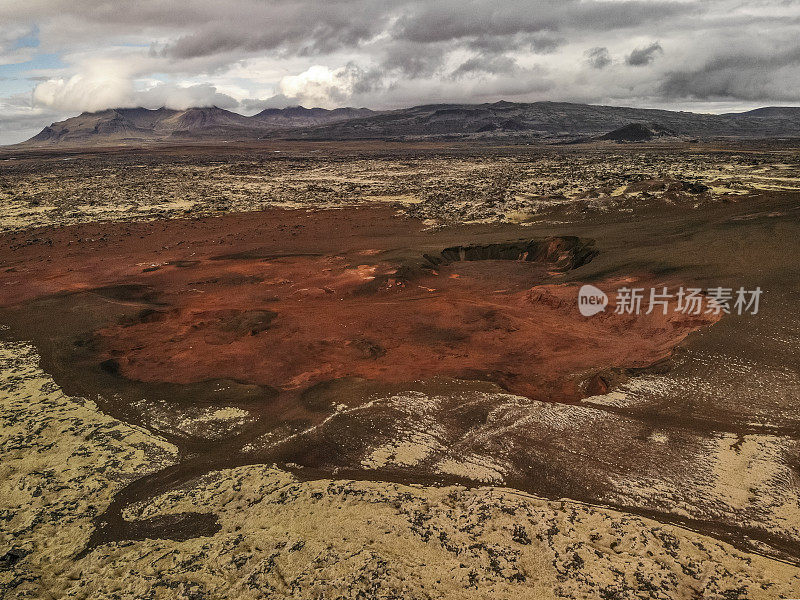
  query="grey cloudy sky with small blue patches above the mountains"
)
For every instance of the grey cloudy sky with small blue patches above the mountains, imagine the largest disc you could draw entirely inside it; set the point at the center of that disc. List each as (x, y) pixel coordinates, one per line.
(61, 57)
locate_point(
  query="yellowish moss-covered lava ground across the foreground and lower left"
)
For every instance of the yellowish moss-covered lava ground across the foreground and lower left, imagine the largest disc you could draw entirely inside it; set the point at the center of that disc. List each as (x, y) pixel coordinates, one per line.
(62, 461)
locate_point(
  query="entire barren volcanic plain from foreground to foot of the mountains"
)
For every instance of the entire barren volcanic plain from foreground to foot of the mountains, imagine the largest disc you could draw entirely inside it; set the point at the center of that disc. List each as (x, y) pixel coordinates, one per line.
(358, 370)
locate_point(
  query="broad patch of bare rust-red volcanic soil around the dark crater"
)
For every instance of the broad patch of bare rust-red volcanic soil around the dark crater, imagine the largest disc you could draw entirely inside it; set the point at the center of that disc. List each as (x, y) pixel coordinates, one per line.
(291, 299)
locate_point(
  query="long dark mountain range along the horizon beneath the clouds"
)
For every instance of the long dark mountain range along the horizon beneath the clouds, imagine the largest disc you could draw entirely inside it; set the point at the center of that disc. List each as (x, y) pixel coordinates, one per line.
(545, 121)
